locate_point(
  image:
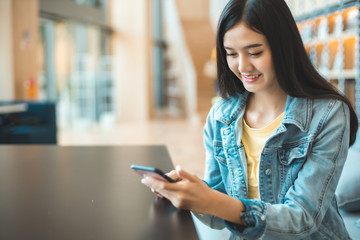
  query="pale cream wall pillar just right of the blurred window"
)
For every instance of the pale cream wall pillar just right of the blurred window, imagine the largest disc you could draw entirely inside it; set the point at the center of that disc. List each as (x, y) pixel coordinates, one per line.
(130, 48)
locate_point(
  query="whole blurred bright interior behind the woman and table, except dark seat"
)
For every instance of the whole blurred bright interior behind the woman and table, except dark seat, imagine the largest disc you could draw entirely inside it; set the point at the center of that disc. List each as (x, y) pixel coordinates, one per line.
(142, 71)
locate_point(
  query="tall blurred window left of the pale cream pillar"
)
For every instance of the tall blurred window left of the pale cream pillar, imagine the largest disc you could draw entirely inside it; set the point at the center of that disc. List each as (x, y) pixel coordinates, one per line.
(75, 67)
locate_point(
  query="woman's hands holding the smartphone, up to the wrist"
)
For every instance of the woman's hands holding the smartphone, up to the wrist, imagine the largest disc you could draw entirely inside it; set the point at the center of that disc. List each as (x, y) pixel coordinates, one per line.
(189, 192)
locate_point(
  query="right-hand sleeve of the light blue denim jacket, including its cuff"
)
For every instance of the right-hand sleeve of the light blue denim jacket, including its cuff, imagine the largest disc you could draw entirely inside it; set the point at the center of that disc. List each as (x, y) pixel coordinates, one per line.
(308, 199)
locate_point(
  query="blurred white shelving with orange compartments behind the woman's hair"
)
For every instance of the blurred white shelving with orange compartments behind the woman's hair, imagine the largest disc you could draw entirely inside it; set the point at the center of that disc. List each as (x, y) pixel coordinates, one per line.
(331, 36)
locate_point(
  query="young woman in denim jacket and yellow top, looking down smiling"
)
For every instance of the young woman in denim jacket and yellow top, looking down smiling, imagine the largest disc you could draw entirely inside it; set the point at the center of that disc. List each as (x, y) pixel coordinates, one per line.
(277, 142)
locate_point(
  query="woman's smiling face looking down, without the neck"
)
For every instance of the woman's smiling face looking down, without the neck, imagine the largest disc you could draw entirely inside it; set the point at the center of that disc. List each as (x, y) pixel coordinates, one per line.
(249, 57)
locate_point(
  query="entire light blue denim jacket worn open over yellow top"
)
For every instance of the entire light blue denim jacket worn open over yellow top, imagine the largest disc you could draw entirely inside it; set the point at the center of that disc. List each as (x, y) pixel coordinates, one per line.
(299, 169)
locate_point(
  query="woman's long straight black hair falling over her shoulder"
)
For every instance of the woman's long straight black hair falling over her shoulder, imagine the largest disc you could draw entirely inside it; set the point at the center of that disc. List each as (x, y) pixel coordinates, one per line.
(294, 71)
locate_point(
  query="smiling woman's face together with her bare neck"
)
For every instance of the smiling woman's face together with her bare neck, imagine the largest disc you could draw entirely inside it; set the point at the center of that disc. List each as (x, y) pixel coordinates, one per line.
(249, 57)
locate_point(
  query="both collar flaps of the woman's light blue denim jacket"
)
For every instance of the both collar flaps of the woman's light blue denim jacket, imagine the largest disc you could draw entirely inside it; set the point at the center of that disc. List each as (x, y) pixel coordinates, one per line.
(298, 111)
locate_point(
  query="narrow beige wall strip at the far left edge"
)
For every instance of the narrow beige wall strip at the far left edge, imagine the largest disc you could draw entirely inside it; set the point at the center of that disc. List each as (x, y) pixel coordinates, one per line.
(6, 59)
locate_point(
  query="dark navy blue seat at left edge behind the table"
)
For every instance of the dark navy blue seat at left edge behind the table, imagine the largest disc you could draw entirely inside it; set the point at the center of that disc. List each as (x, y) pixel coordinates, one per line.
(35, 125)
